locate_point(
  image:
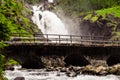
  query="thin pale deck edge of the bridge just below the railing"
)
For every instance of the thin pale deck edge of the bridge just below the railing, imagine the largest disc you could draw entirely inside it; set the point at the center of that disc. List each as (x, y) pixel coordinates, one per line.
(62, 44)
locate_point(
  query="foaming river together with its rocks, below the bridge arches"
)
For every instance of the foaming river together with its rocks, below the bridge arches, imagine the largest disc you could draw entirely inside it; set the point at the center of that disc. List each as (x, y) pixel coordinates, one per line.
(59, 73)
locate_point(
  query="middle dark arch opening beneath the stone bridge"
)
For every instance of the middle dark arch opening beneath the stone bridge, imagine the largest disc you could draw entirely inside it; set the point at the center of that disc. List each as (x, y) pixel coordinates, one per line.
(76, 60)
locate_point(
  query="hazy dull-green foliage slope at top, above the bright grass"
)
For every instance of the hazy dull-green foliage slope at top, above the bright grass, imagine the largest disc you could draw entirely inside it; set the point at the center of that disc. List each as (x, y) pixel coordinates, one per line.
(78, 6)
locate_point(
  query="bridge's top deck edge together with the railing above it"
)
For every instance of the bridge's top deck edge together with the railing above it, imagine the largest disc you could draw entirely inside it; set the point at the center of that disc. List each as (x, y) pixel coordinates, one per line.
(64, 40)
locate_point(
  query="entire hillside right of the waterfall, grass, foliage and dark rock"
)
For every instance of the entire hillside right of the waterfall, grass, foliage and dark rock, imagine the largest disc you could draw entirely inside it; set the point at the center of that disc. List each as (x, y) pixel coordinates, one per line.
(96, 17)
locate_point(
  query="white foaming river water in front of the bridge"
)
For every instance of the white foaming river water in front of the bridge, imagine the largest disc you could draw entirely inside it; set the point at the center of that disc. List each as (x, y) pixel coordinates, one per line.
(41, 74)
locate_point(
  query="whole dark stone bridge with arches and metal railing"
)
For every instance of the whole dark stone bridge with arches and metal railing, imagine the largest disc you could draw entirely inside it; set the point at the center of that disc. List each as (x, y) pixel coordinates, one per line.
(62, 50)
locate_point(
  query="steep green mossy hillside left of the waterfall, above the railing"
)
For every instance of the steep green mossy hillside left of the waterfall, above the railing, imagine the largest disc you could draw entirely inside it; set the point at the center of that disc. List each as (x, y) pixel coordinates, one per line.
(14, 18)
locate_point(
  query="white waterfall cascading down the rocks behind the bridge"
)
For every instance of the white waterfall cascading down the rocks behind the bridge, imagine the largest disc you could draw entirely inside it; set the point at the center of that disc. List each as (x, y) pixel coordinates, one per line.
(50, 23)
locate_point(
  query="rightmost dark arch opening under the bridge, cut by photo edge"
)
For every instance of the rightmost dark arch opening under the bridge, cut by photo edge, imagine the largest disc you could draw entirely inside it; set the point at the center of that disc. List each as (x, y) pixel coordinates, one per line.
(113, 59)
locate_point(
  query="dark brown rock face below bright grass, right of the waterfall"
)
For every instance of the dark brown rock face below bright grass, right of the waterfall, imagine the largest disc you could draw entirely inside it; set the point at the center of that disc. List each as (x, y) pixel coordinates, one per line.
(101, 27)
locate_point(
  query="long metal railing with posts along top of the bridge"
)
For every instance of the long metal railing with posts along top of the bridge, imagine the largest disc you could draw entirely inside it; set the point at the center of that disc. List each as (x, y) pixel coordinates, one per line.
(64, 39)
